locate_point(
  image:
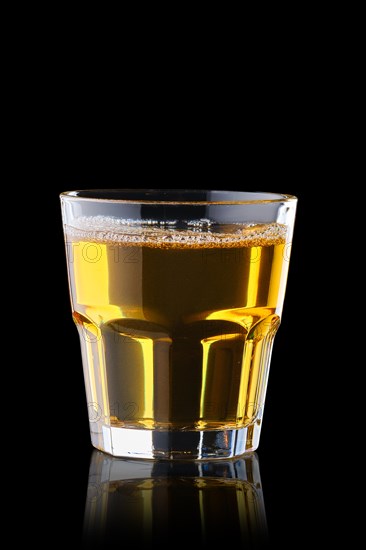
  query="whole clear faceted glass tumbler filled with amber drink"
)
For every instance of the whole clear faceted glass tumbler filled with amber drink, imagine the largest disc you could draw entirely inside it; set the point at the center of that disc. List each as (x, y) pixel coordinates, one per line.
(177, 296)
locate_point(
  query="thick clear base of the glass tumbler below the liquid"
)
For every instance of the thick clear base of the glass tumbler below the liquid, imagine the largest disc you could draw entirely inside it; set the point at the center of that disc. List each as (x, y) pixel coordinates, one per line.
(175, 445)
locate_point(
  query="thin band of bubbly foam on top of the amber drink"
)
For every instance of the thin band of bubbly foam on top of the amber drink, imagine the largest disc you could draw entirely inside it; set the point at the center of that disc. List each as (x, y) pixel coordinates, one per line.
(172, 234)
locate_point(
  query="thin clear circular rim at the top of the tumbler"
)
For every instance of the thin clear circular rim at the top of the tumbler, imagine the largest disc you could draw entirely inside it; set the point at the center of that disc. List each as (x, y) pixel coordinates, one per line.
(277, 197)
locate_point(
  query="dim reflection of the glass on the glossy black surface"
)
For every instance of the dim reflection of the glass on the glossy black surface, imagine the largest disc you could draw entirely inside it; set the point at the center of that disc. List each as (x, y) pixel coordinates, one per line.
(174, 502)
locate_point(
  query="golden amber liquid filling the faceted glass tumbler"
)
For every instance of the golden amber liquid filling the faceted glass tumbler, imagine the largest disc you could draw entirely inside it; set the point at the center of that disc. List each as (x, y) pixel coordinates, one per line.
(177, 335)
